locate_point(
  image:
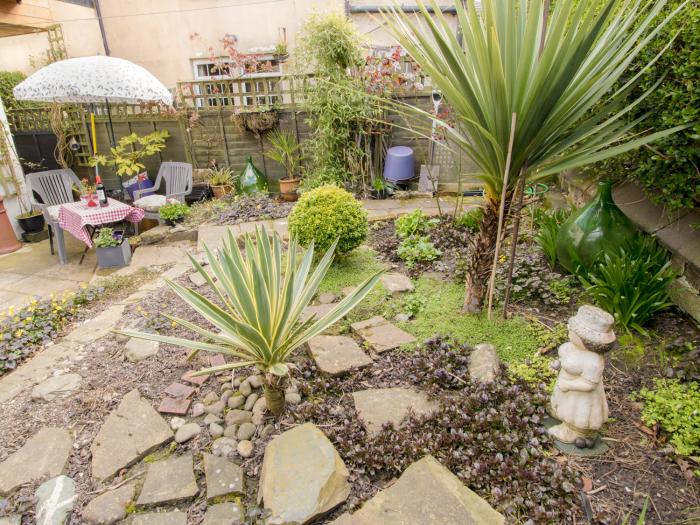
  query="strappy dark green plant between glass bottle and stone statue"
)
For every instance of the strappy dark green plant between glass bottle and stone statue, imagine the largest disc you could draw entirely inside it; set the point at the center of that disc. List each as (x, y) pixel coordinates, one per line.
(631, 283)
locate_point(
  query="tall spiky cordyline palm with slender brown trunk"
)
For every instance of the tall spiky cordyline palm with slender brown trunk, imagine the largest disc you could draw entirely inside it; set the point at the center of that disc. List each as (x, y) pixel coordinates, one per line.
(563, 84)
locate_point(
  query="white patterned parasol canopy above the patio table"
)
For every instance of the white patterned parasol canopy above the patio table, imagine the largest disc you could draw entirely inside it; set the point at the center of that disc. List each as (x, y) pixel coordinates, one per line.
(93, 79)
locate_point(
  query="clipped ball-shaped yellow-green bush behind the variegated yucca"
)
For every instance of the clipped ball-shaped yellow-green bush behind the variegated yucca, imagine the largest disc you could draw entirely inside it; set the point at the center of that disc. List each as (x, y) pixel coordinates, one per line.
(328, 213)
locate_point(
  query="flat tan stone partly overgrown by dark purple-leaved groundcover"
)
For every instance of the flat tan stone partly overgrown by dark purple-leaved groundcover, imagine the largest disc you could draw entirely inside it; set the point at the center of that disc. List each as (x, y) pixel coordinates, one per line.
(379, 406)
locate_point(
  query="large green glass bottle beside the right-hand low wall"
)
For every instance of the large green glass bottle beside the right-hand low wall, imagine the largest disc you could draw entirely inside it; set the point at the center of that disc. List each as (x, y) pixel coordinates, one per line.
(596, 228)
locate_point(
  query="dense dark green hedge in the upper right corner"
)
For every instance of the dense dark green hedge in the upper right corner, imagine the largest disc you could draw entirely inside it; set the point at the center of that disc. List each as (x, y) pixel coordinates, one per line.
(669, 170)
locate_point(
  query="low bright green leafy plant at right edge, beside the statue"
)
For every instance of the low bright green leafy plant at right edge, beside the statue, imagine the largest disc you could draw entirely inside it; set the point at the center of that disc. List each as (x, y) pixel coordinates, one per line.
(674, 406)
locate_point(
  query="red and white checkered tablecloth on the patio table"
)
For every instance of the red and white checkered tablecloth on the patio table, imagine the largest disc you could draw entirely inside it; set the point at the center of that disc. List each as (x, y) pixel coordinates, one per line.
(75, 216)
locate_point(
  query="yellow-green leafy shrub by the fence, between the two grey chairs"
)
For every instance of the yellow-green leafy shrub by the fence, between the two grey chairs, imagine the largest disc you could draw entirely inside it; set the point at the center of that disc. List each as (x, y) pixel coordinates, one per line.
(126, 156)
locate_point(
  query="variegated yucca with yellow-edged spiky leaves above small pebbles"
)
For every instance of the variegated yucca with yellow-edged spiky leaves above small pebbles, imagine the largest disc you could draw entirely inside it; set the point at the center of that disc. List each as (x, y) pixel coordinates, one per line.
(258, 313)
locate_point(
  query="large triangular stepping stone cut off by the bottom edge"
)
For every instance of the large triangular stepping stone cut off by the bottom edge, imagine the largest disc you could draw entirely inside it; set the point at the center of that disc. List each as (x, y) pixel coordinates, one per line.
(425, 493)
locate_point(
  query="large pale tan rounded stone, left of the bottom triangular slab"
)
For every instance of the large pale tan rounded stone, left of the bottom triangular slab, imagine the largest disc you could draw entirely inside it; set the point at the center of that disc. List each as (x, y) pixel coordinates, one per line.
(302, 476)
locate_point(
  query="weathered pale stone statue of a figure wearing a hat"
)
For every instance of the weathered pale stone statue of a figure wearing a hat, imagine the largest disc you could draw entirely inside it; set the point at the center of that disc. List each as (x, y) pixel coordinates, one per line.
(578, 400)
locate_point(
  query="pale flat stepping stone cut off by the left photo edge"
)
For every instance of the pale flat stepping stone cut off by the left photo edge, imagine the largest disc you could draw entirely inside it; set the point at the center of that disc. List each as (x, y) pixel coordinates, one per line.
(44, 455)
